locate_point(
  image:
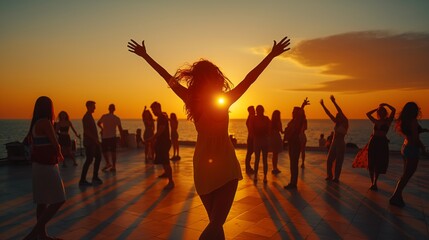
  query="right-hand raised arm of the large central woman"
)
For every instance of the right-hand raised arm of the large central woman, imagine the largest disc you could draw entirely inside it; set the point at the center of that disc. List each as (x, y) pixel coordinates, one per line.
(278, 48)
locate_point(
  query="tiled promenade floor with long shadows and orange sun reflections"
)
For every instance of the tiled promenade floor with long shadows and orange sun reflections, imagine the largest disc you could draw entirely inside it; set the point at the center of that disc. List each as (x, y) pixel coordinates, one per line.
(131, 204)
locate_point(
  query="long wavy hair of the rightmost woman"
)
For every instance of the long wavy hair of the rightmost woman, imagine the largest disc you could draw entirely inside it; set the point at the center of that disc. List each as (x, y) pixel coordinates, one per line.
(410, 112)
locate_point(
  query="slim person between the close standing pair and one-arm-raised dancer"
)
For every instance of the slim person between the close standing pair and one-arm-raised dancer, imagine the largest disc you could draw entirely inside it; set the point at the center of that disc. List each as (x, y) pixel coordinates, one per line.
(276, 141)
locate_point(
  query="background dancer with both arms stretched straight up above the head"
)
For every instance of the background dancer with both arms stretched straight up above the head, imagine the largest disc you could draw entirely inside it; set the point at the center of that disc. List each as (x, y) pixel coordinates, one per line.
(338, 146)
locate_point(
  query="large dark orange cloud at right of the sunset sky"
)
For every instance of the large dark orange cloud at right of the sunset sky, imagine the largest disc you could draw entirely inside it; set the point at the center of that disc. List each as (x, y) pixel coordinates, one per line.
(367, 61)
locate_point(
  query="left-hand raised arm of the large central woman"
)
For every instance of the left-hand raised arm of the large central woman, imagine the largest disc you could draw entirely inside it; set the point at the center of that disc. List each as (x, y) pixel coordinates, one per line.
(140, 50)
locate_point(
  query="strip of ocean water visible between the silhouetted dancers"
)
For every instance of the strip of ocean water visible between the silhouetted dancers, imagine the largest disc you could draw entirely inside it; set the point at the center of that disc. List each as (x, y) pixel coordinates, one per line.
(359, 131)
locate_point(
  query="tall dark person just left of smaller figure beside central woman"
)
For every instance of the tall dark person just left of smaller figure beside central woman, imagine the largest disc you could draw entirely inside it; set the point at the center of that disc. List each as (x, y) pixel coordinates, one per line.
(162, 141)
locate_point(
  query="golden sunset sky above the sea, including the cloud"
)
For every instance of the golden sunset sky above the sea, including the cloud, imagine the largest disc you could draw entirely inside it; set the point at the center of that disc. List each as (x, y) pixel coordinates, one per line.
(362, 52)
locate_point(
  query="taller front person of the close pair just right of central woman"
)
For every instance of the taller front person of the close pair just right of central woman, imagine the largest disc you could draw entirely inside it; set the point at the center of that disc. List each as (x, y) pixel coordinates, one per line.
(261, 138)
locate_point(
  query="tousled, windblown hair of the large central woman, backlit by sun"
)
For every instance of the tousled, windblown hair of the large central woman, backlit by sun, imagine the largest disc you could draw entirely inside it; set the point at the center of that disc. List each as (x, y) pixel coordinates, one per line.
(198, 77)
